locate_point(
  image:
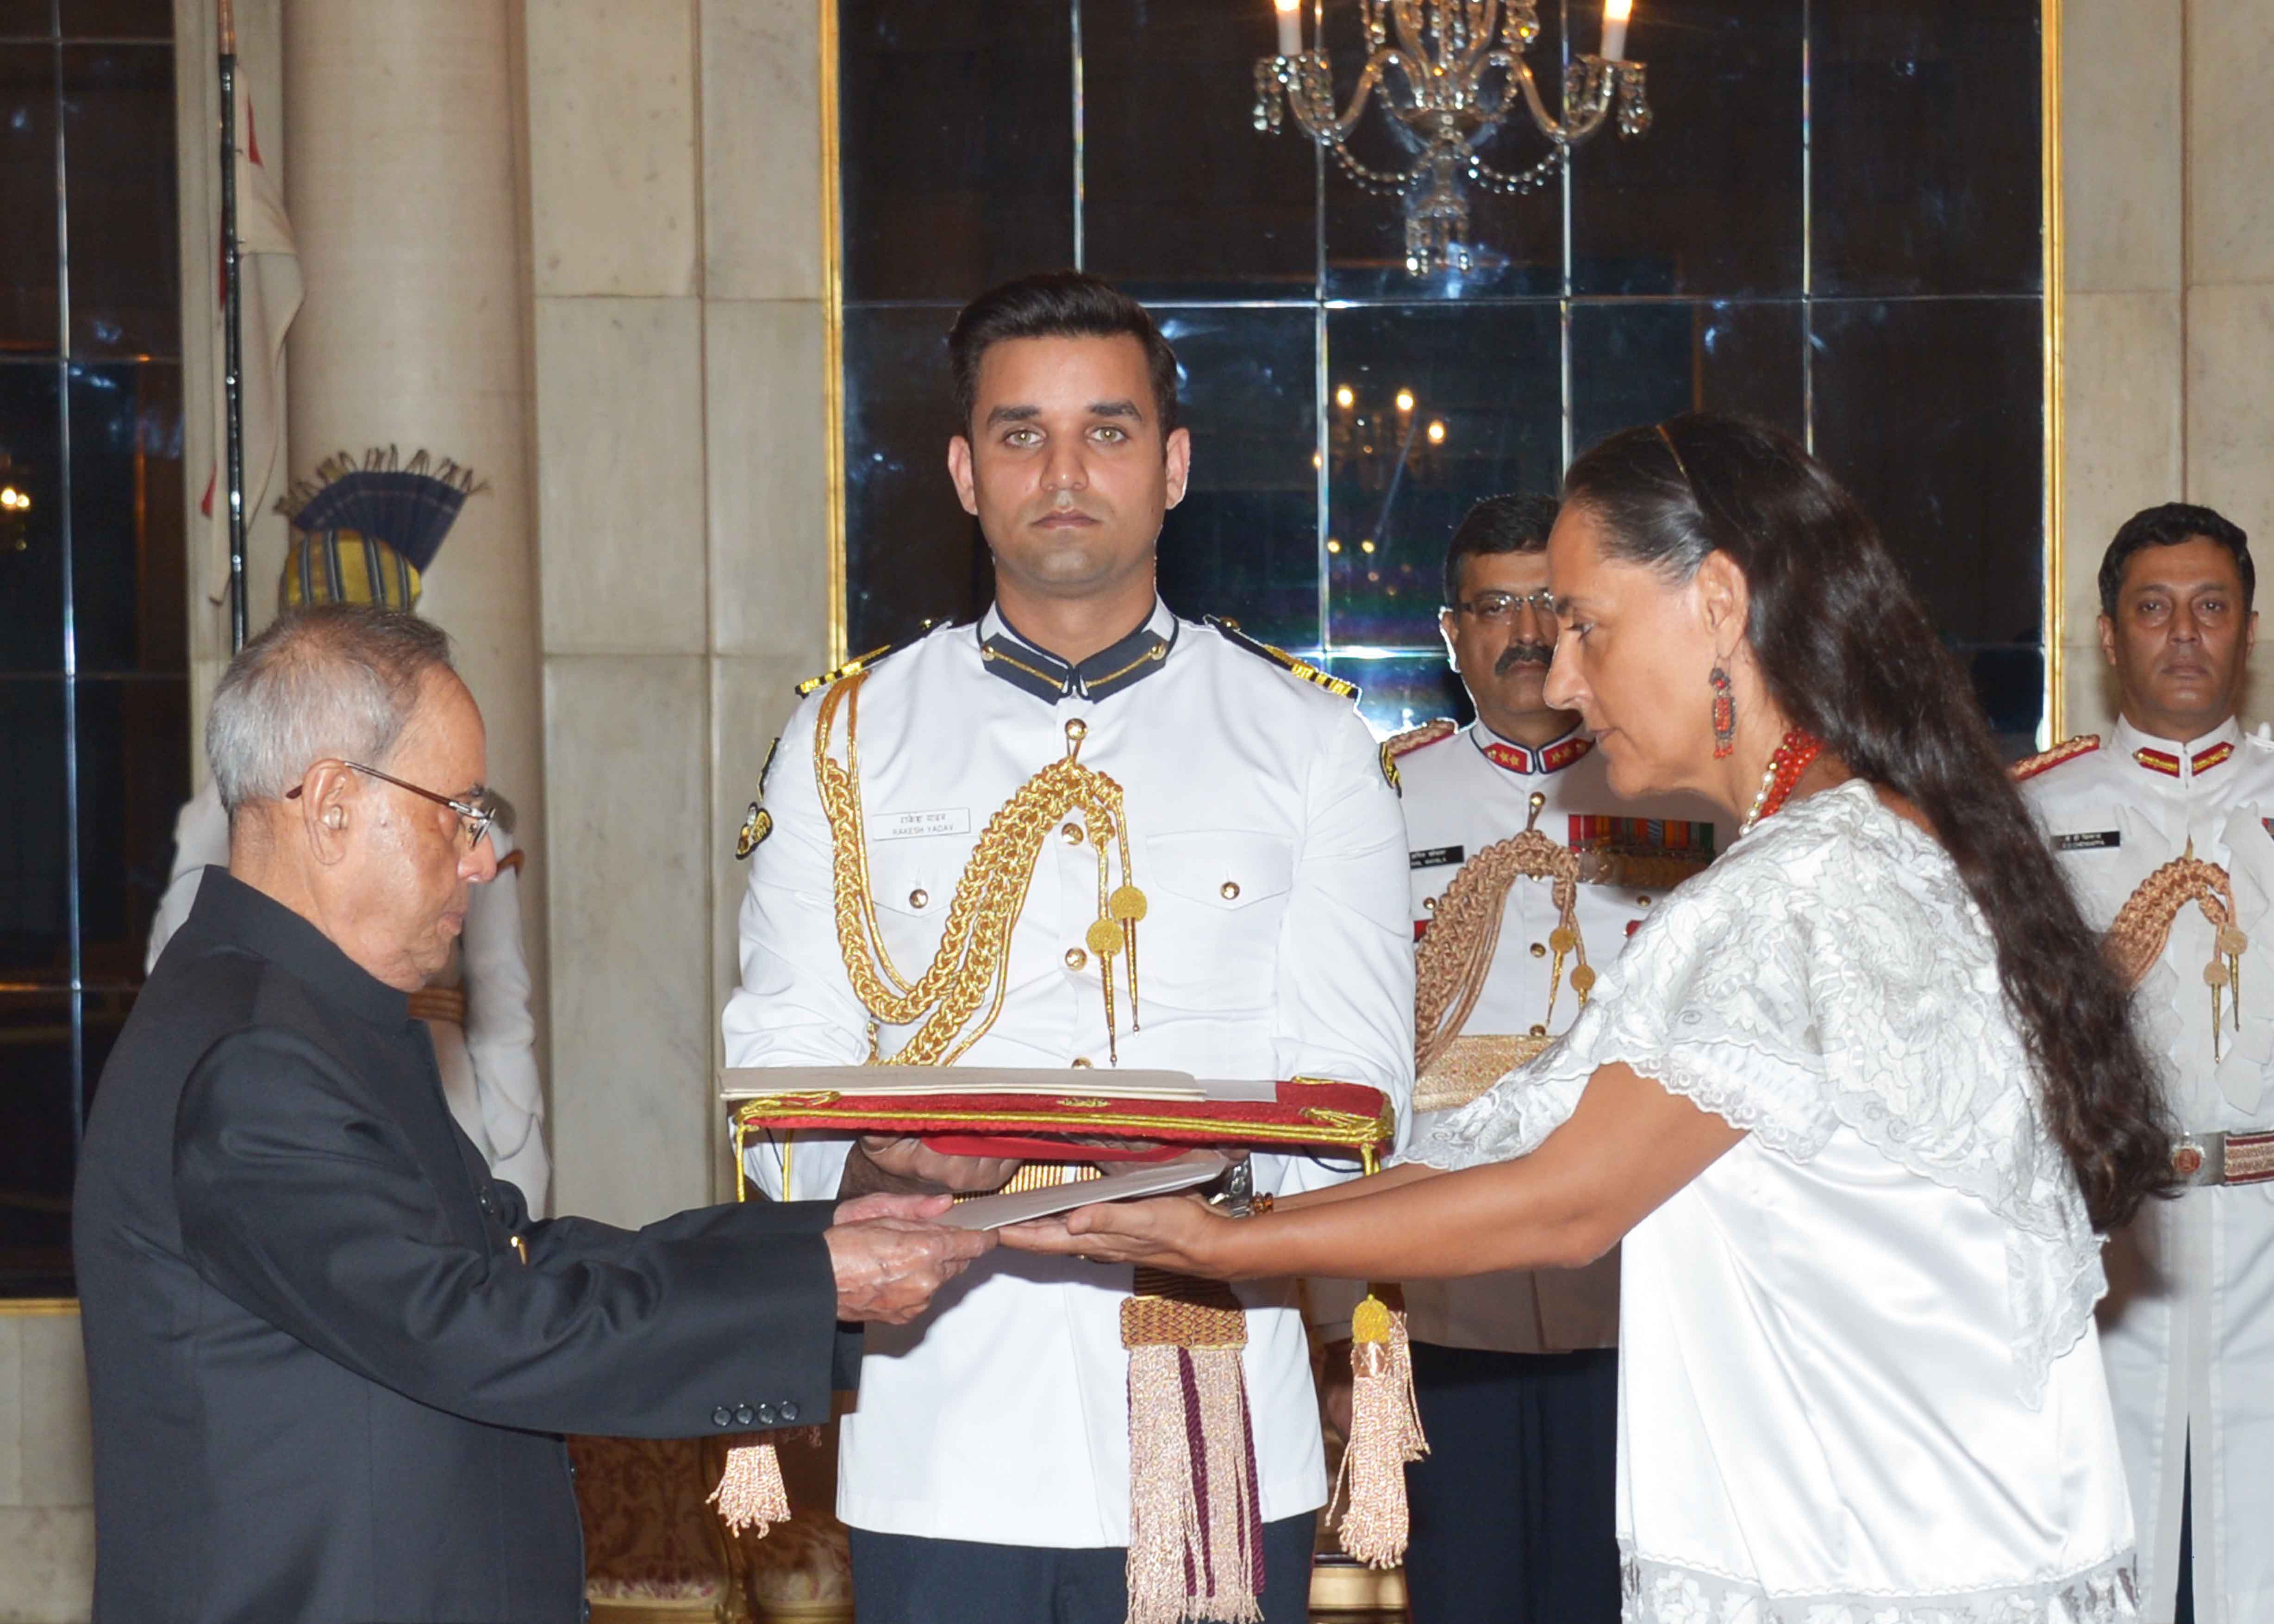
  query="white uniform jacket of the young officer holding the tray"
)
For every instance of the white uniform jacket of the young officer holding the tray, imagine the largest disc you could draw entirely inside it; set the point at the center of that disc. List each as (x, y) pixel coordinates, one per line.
(1272, 856)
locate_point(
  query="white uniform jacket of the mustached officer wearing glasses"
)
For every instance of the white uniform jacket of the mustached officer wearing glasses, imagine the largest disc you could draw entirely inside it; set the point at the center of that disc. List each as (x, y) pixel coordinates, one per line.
(1466, 793)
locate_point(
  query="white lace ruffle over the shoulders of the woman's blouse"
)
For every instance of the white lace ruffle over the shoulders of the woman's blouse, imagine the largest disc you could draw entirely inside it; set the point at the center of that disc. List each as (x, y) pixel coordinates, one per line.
(1829, 972)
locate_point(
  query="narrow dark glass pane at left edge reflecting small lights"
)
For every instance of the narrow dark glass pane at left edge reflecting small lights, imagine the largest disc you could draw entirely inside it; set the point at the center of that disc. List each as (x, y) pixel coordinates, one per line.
(31, 540)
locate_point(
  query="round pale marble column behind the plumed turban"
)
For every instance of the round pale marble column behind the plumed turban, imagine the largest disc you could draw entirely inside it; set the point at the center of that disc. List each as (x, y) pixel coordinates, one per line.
(408, 206)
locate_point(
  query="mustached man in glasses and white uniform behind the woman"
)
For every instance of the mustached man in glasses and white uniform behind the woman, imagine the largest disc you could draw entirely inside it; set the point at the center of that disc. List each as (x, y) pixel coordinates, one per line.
(1518, 1373)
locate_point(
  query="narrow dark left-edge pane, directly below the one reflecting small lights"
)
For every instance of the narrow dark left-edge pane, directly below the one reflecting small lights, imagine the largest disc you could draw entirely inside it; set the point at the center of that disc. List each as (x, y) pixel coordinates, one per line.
(35, 859)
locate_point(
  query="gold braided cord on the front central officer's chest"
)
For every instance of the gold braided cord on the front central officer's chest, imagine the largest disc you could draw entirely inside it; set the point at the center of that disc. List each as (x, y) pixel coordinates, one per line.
(972, 963)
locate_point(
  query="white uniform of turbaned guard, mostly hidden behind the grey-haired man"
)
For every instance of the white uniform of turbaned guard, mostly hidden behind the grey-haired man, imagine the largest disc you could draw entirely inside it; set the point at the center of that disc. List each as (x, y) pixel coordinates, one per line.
(490, 1063)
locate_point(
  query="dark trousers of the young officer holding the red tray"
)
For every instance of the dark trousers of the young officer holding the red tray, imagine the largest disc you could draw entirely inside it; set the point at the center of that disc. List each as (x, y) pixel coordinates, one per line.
(904, 1580)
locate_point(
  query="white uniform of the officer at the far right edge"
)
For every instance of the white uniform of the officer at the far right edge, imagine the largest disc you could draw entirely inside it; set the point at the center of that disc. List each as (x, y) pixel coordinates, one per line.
(2189, 1323)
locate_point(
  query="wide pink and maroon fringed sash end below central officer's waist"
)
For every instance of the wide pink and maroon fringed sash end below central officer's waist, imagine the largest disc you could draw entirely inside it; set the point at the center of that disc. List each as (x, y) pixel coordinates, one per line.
(1195, 1505)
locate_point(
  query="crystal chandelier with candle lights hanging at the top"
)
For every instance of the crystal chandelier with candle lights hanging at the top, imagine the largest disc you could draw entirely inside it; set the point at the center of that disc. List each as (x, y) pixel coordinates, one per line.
(1459, 74)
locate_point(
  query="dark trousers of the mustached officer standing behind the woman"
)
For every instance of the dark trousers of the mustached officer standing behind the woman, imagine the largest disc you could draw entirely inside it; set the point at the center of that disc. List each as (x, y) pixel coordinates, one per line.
(1516, 1502)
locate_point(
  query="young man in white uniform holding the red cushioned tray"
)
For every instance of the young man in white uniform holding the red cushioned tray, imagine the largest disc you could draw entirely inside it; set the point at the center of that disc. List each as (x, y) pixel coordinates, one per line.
(986, 1473)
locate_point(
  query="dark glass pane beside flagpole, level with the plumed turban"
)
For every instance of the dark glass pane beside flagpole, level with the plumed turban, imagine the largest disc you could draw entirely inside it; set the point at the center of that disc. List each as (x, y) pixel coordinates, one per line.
(126, 517)
